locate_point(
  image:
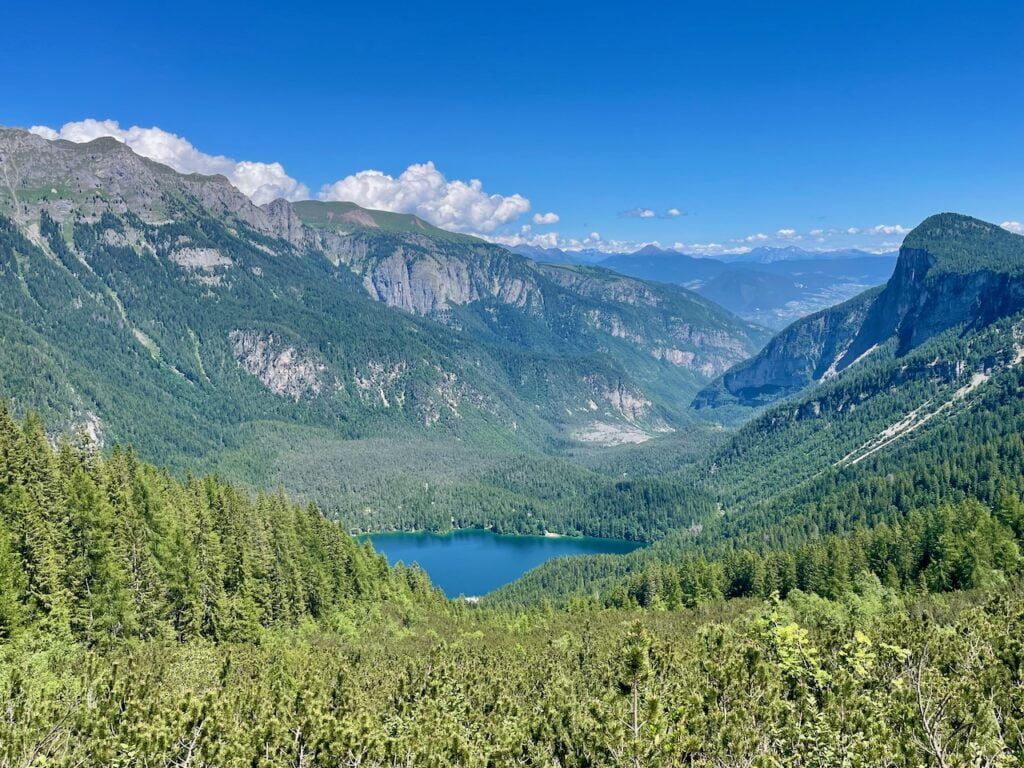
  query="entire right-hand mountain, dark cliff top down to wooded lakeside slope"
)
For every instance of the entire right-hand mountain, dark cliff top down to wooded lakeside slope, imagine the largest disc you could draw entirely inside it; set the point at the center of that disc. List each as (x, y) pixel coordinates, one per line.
(867, 419)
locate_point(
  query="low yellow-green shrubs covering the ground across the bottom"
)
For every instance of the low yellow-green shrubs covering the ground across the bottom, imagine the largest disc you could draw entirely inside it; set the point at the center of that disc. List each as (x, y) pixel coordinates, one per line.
(870, 680)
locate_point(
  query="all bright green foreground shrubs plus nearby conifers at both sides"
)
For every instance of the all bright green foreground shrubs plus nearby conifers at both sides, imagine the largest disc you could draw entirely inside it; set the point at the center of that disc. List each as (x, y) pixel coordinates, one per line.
(146, 621)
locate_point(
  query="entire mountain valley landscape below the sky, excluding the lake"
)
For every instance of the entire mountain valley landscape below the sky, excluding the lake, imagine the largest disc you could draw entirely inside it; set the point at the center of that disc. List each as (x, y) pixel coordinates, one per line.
(825, 507)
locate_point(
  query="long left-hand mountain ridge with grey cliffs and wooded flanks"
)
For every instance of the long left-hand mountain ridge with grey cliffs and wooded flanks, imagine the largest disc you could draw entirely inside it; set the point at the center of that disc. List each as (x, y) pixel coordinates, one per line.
(188, 269)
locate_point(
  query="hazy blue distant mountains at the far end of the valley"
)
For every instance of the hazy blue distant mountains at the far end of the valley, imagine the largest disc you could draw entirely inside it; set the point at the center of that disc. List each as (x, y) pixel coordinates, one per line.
(770, 286)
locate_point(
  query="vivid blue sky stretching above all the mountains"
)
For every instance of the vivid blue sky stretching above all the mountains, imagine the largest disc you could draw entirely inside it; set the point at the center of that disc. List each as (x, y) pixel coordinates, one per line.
(752, 118)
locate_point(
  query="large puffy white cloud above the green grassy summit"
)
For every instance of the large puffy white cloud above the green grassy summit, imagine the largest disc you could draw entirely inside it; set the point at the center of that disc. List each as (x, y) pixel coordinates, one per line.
(462, 206)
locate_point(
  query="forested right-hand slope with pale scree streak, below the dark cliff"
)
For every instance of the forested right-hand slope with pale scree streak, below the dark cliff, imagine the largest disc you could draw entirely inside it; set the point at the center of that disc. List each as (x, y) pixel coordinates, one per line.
(934, 502)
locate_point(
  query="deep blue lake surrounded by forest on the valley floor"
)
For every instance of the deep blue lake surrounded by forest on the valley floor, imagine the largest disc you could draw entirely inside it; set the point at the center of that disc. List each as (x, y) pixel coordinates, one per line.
(476, 563)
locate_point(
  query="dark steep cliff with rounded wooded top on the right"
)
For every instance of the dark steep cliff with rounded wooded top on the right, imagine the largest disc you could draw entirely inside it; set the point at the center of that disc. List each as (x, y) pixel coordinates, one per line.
(953, 272)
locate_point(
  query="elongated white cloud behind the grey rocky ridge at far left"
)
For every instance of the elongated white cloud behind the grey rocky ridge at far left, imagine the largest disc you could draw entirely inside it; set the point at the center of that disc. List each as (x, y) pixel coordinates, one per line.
(262, 182)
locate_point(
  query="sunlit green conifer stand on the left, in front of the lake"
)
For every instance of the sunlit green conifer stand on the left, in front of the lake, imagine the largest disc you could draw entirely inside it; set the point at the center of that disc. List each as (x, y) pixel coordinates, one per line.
(103, 548)
